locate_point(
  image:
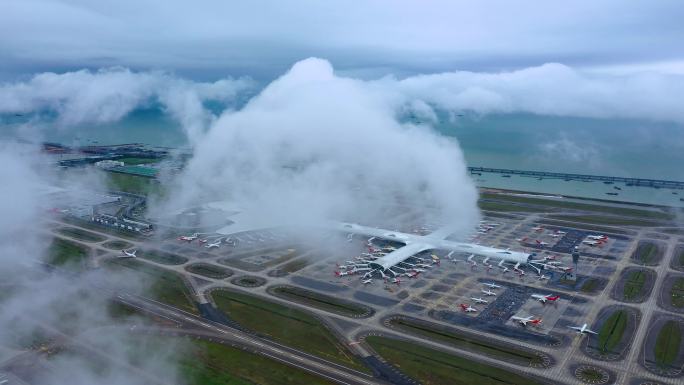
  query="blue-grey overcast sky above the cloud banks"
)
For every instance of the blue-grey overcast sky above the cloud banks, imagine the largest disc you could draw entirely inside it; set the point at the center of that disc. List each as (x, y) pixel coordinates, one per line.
(208, 39)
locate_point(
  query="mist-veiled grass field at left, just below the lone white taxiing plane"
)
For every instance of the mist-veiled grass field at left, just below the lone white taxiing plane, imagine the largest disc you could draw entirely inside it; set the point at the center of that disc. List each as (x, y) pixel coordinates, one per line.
(164, 286)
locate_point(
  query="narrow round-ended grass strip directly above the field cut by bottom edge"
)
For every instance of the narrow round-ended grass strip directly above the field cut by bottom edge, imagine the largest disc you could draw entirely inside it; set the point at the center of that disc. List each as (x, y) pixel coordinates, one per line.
(469, 342)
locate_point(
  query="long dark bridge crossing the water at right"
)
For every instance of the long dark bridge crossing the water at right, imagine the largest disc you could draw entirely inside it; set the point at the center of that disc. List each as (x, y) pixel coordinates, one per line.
(657, 183)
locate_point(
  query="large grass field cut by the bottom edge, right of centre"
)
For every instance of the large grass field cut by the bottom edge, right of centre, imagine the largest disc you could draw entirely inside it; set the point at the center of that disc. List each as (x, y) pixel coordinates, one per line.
(433, 367)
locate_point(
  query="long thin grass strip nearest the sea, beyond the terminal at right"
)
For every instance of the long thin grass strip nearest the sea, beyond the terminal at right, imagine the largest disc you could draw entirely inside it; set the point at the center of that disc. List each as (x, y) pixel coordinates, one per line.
(580, 206)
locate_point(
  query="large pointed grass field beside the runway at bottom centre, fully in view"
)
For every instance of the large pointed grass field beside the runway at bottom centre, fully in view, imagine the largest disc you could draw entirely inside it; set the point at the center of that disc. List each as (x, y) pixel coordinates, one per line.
(286, 325)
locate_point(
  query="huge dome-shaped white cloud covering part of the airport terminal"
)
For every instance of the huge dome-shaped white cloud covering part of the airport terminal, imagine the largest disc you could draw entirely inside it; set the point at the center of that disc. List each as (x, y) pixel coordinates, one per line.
(314, 146)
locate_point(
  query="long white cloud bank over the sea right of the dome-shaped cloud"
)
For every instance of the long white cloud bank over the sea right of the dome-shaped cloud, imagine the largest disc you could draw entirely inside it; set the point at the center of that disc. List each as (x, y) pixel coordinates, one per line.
(551, 89)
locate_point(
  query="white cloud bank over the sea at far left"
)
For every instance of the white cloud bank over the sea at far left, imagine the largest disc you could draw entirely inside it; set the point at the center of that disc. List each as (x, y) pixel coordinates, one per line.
(107, 95)
